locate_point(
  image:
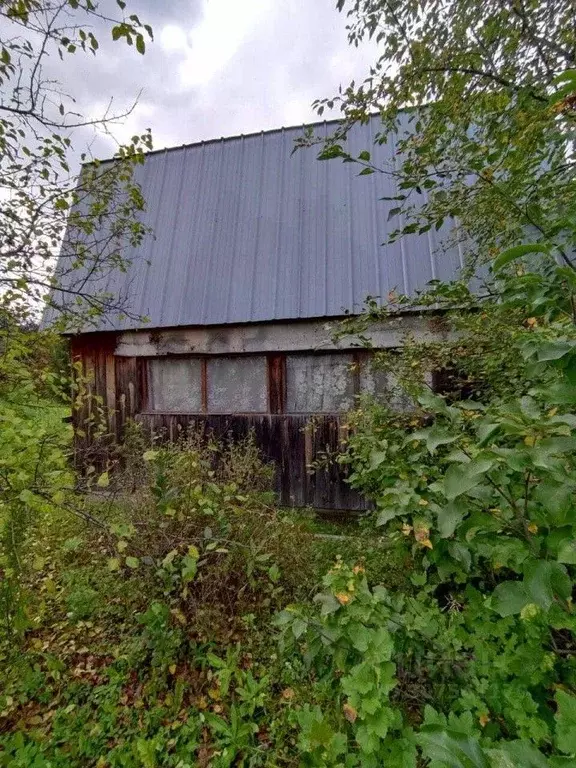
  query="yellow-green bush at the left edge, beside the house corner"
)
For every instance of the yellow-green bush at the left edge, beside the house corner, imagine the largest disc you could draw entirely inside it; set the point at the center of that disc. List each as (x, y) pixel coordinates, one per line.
(34, 449)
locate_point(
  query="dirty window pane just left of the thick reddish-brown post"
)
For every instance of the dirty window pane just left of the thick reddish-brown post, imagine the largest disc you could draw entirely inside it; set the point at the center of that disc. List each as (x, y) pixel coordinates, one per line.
(237, 385)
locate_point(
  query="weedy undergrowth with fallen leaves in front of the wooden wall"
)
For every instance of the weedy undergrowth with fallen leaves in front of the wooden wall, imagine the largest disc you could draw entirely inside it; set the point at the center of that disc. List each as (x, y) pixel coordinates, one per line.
(149, 639)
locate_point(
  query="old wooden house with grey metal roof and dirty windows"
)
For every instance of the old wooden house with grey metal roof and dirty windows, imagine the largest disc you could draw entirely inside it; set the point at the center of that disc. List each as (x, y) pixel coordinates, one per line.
(257, 252)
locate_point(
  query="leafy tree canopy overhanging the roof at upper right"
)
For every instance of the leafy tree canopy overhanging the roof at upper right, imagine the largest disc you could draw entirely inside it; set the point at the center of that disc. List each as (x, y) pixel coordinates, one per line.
(485, 93)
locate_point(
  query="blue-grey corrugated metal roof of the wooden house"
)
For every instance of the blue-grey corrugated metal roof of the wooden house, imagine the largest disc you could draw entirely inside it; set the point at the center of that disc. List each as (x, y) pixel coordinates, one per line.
(246, 230)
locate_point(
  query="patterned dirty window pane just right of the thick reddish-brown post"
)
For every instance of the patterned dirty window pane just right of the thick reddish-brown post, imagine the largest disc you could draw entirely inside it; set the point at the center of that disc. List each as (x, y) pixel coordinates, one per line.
(319, 383)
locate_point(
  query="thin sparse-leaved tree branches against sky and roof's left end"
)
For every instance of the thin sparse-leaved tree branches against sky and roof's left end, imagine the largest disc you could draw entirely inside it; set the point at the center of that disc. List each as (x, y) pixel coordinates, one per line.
(41, 194)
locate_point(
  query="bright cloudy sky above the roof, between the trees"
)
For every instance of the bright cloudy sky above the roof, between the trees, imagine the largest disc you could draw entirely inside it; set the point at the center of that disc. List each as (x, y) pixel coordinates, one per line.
(222, 67)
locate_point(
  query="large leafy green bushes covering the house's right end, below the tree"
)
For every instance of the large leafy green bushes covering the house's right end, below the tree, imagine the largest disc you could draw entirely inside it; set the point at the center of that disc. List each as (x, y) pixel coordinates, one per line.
(477, 667)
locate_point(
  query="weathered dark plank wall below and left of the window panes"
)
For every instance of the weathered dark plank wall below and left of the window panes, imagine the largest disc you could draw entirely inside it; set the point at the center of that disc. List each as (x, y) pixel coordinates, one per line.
(115, 391)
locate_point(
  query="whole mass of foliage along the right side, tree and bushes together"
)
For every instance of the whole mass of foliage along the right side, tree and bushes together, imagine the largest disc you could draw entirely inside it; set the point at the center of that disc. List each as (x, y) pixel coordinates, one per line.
(477, 668)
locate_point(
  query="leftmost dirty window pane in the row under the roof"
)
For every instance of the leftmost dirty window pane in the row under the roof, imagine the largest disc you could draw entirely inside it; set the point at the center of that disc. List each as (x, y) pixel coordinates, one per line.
(175, 385)
